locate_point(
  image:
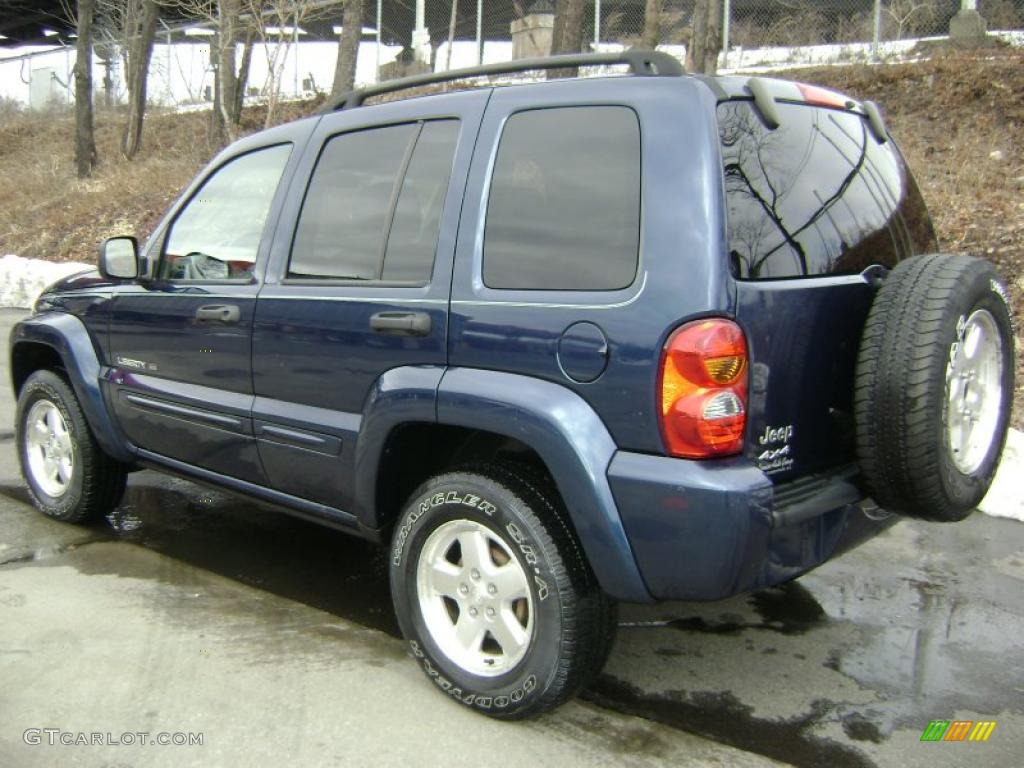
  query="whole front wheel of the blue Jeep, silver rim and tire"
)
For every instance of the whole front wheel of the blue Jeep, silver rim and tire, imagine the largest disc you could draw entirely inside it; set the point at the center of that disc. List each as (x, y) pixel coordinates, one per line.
(69, 477)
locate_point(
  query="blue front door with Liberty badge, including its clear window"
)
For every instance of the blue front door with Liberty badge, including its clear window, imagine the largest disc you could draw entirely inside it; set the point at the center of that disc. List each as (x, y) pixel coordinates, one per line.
(181, 343)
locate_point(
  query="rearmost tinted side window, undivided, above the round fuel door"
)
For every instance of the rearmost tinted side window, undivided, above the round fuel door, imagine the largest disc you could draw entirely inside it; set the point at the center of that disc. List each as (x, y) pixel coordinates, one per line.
(564, 212)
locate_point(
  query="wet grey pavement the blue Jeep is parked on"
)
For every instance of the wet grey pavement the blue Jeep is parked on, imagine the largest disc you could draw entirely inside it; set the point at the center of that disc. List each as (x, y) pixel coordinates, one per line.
(192, 611)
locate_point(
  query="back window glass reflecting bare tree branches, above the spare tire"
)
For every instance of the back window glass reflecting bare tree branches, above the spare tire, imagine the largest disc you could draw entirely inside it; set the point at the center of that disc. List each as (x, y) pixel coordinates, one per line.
(817, 196)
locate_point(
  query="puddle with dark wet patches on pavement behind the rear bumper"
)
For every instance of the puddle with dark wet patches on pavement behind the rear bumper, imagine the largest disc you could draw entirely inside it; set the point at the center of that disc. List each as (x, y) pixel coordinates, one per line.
(930, 634)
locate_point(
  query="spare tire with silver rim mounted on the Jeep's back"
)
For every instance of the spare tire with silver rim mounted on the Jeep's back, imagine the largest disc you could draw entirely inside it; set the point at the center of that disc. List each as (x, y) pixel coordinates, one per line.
(934, 387)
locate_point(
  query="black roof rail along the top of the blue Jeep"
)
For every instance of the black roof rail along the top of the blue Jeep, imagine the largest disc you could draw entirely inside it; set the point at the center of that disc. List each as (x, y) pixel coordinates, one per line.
(644, 63)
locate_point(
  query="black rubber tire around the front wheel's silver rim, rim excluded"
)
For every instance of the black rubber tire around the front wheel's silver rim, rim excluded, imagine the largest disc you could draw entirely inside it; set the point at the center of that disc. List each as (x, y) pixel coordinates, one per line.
(98, 483)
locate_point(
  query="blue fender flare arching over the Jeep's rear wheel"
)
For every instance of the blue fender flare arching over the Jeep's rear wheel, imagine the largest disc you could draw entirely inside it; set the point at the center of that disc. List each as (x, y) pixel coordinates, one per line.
(553, 420)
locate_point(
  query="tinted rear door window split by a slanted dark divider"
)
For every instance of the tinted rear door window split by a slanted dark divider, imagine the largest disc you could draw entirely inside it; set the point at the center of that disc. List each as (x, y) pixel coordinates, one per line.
(373, 207)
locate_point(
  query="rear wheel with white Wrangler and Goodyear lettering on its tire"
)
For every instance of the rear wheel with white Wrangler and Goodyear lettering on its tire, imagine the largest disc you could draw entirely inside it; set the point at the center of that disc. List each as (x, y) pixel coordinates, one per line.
(494, 595)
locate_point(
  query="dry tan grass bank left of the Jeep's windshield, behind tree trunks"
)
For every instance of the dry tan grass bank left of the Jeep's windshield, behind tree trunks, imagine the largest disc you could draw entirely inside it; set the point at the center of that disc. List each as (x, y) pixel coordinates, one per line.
(47, 212)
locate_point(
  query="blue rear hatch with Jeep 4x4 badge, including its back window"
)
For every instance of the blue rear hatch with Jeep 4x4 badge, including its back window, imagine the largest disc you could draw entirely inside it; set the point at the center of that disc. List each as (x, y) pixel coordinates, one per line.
(820, 204)
